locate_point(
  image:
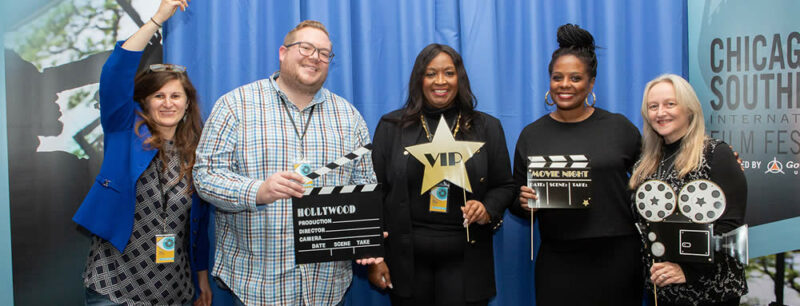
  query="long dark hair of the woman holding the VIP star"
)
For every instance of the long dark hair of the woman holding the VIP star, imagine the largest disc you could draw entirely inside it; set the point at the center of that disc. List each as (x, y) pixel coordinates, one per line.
(464, 100)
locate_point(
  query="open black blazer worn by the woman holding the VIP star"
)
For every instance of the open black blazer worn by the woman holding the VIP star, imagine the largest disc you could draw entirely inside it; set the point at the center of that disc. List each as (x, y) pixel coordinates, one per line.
(489, 173)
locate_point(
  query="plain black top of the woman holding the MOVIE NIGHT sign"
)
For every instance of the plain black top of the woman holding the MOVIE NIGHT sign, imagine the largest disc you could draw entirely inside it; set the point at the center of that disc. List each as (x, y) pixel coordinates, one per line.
(612, 144)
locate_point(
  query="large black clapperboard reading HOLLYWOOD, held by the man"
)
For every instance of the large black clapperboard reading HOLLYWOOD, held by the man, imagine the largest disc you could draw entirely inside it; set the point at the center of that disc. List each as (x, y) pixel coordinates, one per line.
(339, 222)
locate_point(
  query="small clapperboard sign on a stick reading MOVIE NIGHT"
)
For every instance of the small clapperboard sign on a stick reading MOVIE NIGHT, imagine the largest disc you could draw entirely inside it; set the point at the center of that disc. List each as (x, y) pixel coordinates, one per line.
(560, 181)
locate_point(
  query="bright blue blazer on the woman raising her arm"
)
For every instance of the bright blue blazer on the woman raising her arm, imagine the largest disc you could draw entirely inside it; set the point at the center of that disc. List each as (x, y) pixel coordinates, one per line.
(108, 209)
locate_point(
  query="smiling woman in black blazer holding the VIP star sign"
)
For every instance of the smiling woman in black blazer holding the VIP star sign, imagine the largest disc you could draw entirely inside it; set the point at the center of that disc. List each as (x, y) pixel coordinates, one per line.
(427, 251)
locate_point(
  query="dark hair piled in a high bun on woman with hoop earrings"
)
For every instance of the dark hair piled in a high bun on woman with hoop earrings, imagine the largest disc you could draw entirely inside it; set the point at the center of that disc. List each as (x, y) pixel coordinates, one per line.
(572, 40)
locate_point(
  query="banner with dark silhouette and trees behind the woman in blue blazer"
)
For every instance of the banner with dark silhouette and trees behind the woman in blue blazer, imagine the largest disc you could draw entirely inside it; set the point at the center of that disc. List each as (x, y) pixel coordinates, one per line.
(53, 57)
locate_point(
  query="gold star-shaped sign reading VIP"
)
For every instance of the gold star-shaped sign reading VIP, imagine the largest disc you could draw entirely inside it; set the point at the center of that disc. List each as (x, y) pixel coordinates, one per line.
(444, 158)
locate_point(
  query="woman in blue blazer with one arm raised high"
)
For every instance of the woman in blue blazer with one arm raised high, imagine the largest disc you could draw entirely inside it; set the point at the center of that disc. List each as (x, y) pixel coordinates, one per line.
(150, 241)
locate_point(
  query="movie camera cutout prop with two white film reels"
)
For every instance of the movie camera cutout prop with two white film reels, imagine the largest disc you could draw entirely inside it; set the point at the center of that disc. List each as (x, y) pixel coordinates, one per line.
(687, 236)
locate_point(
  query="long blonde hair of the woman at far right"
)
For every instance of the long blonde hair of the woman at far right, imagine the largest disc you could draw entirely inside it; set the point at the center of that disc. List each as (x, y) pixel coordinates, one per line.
(691, 150)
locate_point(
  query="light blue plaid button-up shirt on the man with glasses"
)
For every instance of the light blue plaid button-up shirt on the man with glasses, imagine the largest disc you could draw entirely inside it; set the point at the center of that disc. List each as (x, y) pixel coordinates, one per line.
(249, 137)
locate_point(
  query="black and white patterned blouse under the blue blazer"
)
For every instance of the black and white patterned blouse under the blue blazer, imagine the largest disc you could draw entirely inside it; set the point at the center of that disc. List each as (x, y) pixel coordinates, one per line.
(133, 277)
